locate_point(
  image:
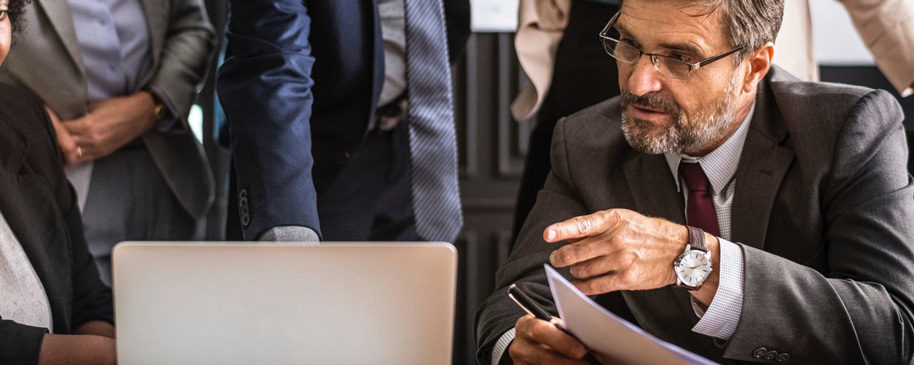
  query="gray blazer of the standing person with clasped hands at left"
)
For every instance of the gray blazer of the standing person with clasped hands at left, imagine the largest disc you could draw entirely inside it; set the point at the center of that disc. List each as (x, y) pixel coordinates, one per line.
(46, 59)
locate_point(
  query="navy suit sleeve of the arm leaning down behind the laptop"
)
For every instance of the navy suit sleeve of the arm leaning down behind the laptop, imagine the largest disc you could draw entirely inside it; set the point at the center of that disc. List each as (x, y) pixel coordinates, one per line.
(265, 88)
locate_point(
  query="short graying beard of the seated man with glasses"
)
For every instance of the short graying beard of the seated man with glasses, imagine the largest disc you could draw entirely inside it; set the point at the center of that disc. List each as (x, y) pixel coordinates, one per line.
(686, 133)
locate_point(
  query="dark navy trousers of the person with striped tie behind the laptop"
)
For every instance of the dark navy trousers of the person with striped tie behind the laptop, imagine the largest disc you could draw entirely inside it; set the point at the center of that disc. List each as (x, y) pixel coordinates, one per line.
(370, 200)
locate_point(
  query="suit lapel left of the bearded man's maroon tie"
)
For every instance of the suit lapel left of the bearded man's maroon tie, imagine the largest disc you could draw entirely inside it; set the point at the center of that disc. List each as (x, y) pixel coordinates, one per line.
(652, 187)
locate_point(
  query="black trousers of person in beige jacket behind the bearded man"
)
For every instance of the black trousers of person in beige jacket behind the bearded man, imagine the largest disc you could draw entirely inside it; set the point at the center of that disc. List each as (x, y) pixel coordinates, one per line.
(584, 75)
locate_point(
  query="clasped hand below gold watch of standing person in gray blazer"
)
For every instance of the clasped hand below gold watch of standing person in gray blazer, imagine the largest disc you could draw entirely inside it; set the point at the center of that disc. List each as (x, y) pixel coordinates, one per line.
(112, 123)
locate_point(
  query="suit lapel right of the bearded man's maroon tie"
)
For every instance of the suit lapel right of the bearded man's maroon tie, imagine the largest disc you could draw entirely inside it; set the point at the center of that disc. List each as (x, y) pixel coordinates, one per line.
(761, 169)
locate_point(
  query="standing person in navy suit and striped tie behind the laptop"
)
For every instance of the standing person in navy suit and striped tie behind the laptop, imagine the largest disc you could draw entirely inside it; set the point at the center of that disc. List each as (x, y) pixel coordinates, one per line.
(327, 111)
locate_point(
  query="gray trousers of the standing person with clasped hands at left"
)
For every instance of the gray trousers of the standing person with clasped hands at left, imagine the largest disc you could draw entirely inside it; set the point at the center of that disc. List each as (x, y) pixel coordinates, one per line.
(129, 200)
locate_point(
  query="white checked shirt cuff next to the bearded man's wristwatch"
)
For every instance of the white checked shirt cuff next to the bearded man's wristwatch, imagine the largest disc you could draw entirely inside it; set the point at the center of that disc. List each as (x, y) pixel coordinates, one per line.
(721, 317)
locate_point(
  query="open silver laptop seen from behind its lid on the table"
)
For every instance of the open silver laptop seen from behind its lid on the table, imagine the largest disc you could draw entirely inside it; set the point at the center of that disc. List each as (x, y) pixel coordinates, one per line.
(334, 303)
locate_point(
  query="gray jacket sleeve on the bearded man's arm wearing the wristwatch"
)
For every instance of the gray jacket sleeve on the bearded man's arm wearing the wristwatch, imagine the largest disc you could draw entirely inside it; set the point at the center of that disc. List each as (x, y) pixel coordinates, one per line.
(861, 309)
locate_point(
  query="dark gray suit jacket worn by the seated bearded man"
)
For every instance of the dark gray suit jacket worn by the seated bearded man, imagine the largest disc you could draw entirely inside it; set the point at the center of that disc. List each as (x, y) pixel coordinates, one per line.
(823, 212)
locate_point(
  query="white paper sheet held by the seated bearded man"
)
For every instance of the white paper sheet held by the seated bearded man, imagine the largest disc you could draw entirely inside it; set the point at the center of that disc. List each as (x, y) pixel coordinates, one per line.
(609, 336)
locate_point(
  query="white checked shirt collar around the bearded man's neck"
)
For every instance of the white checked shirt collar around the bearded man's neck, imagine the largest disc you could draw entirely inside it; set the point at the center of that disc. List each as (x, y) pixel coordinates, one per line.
(719, 165)
